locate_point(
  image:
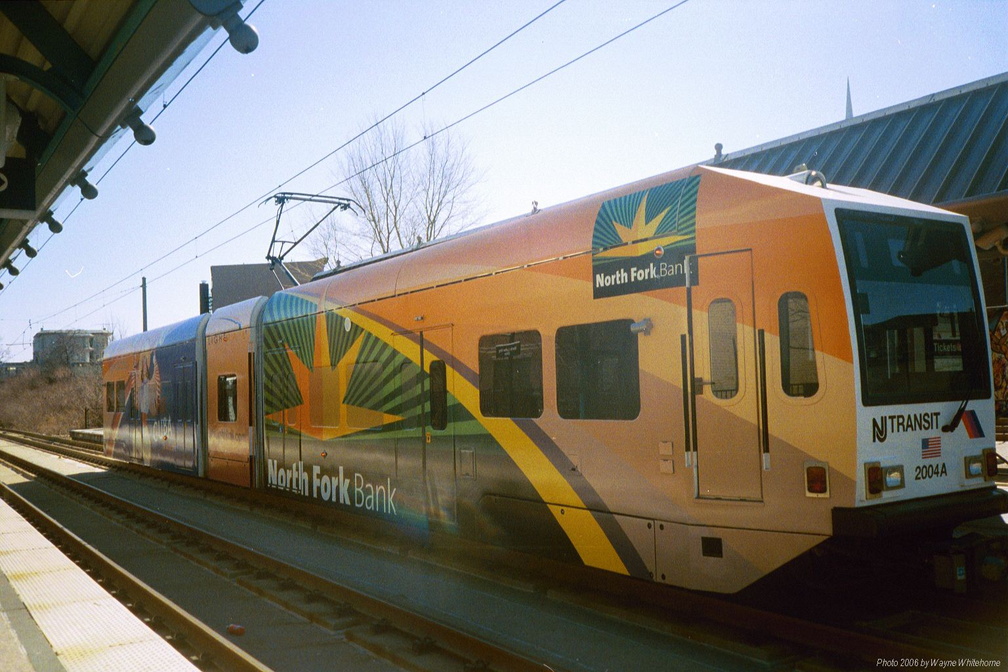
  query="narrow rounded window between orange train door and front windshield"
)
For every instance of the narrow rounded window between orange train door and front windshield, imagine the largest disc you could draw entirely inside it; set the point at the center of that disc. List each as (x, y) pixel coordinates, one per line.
(799, 375)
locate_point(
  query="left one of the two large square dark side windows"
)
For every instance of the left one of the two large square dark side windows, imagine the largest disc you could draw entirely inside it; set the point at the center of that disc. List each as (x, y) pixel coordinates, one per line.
(512, 375)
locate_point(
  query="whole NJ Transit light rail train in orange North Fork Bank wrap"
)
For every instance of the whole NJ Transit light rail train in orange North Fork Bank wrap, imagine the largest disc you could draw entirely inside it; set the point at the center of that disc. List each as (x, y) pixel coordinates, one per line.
(693, 379)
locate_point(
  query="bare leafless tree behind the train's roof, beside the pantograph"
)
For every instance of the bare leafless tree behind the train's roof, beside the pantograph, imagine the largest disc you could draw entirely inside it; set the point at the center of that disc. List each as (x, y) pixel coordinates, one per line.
(408, 194)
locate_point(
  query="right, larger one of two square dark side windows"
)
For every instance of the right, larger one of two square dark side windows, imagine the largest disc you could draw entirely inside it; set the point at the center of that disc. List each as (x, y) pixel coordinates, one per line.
(598, 374)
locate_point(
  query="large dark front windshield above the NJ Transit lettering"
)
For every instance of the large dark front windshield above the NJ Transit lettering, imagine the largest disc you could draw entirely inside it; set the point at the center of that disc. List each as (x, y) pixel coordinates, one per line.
(917, 309)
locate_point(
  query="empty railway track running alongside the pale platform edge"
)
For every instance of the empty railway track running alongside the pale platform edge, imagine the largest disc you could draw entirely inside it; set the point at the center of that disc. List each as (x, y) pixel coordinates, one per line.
(219, 568)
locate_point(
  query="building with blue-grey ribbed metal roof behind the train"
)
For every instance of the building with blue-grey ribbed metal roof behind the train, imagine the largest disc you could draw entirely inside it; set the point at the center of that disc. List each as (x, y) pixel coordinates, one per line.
(949, 150)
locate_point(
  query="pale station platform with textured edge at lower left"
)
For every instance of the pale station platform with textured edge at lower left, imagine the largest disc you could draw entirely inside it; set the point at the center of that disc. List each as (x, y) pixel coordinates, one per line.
(55, 618)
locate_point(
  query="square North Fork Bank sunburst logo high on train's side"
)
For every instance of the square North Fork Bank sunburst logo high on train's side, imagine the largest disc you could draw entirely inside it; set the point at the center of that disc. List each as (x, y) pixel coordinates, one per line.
(641, 241)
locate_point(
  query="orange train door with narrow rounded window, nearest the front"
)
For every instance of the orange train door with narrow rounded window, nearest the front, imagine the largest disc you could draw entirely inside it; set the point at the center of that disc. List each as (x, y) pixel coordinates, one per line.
(725, 401)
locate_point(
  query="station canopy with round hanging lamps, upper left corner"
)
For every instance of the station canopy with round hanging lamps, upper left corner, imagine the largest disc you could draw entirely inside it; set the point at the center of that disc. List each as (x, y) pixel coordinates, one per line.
(75, 77)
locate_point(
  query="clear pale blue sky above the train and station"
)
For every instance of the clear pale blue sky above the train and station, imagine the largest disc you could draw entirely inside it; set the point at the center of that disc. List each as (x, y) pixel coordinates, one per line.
(735, 72)
